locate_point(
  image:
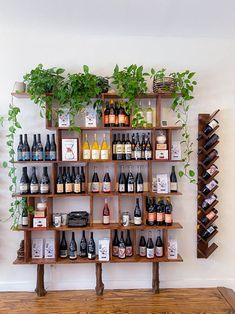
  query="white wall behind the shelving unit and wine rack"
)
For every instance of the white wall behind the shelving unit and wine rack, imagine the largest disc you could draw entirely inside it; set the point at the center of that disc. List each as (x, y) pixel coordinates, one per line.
(213, 60)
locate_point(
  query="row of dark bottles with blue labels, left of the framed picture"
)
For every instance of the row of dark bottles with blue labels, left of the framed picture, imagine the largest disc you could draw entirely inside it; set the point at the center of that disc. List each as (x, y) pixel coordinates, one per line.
(37, 152)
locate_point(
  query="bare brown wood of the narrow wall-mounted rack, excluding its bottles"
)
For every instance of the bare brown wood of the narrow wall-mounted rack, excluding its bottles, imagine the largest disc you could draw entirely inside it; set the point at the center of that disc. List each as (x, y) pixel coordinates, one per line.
(204, 250)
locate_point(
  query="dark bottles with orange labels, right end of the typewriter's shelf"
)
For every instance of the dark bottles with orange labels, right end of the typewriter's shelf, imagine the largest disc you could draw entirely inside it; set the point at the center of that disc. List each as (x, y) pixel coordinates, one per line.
(159, 212)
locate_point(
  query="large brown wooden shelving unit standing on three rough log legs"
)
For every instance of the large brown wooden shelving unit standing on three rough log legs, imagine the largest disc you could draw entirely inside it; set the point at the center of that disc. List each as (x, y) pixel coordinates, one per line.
(60, 133)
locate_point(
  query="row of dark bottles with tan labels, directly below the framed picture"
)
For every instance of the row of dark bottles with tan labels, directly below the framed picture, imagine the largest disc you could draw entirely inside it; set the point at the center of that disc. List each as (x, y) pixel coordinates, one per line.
(70, 182)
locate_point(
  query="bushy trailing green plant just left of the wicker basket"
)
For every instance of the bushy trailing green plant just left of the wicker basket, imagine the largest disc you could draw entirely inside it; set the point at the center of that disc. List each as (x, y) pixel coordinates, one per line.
(130, 83)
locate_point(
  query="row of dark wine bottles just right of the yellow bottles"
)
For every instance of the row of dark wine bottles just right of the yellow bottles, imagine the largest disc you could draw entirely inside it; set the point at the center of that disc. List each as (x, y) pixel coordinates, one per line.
(124, 149)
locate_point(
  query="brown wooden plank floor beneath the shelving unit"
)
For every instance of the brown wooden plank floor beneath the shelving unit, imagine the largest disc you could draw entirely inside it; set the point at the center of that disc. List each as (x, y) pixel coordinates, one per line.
(209, 300)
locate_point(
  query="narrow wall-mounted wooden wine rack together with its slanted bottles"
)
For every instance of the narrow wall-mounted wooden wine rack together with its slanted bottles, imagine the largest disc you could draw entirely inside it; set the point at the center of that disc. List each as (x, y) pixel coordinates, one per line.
(207, 184)
